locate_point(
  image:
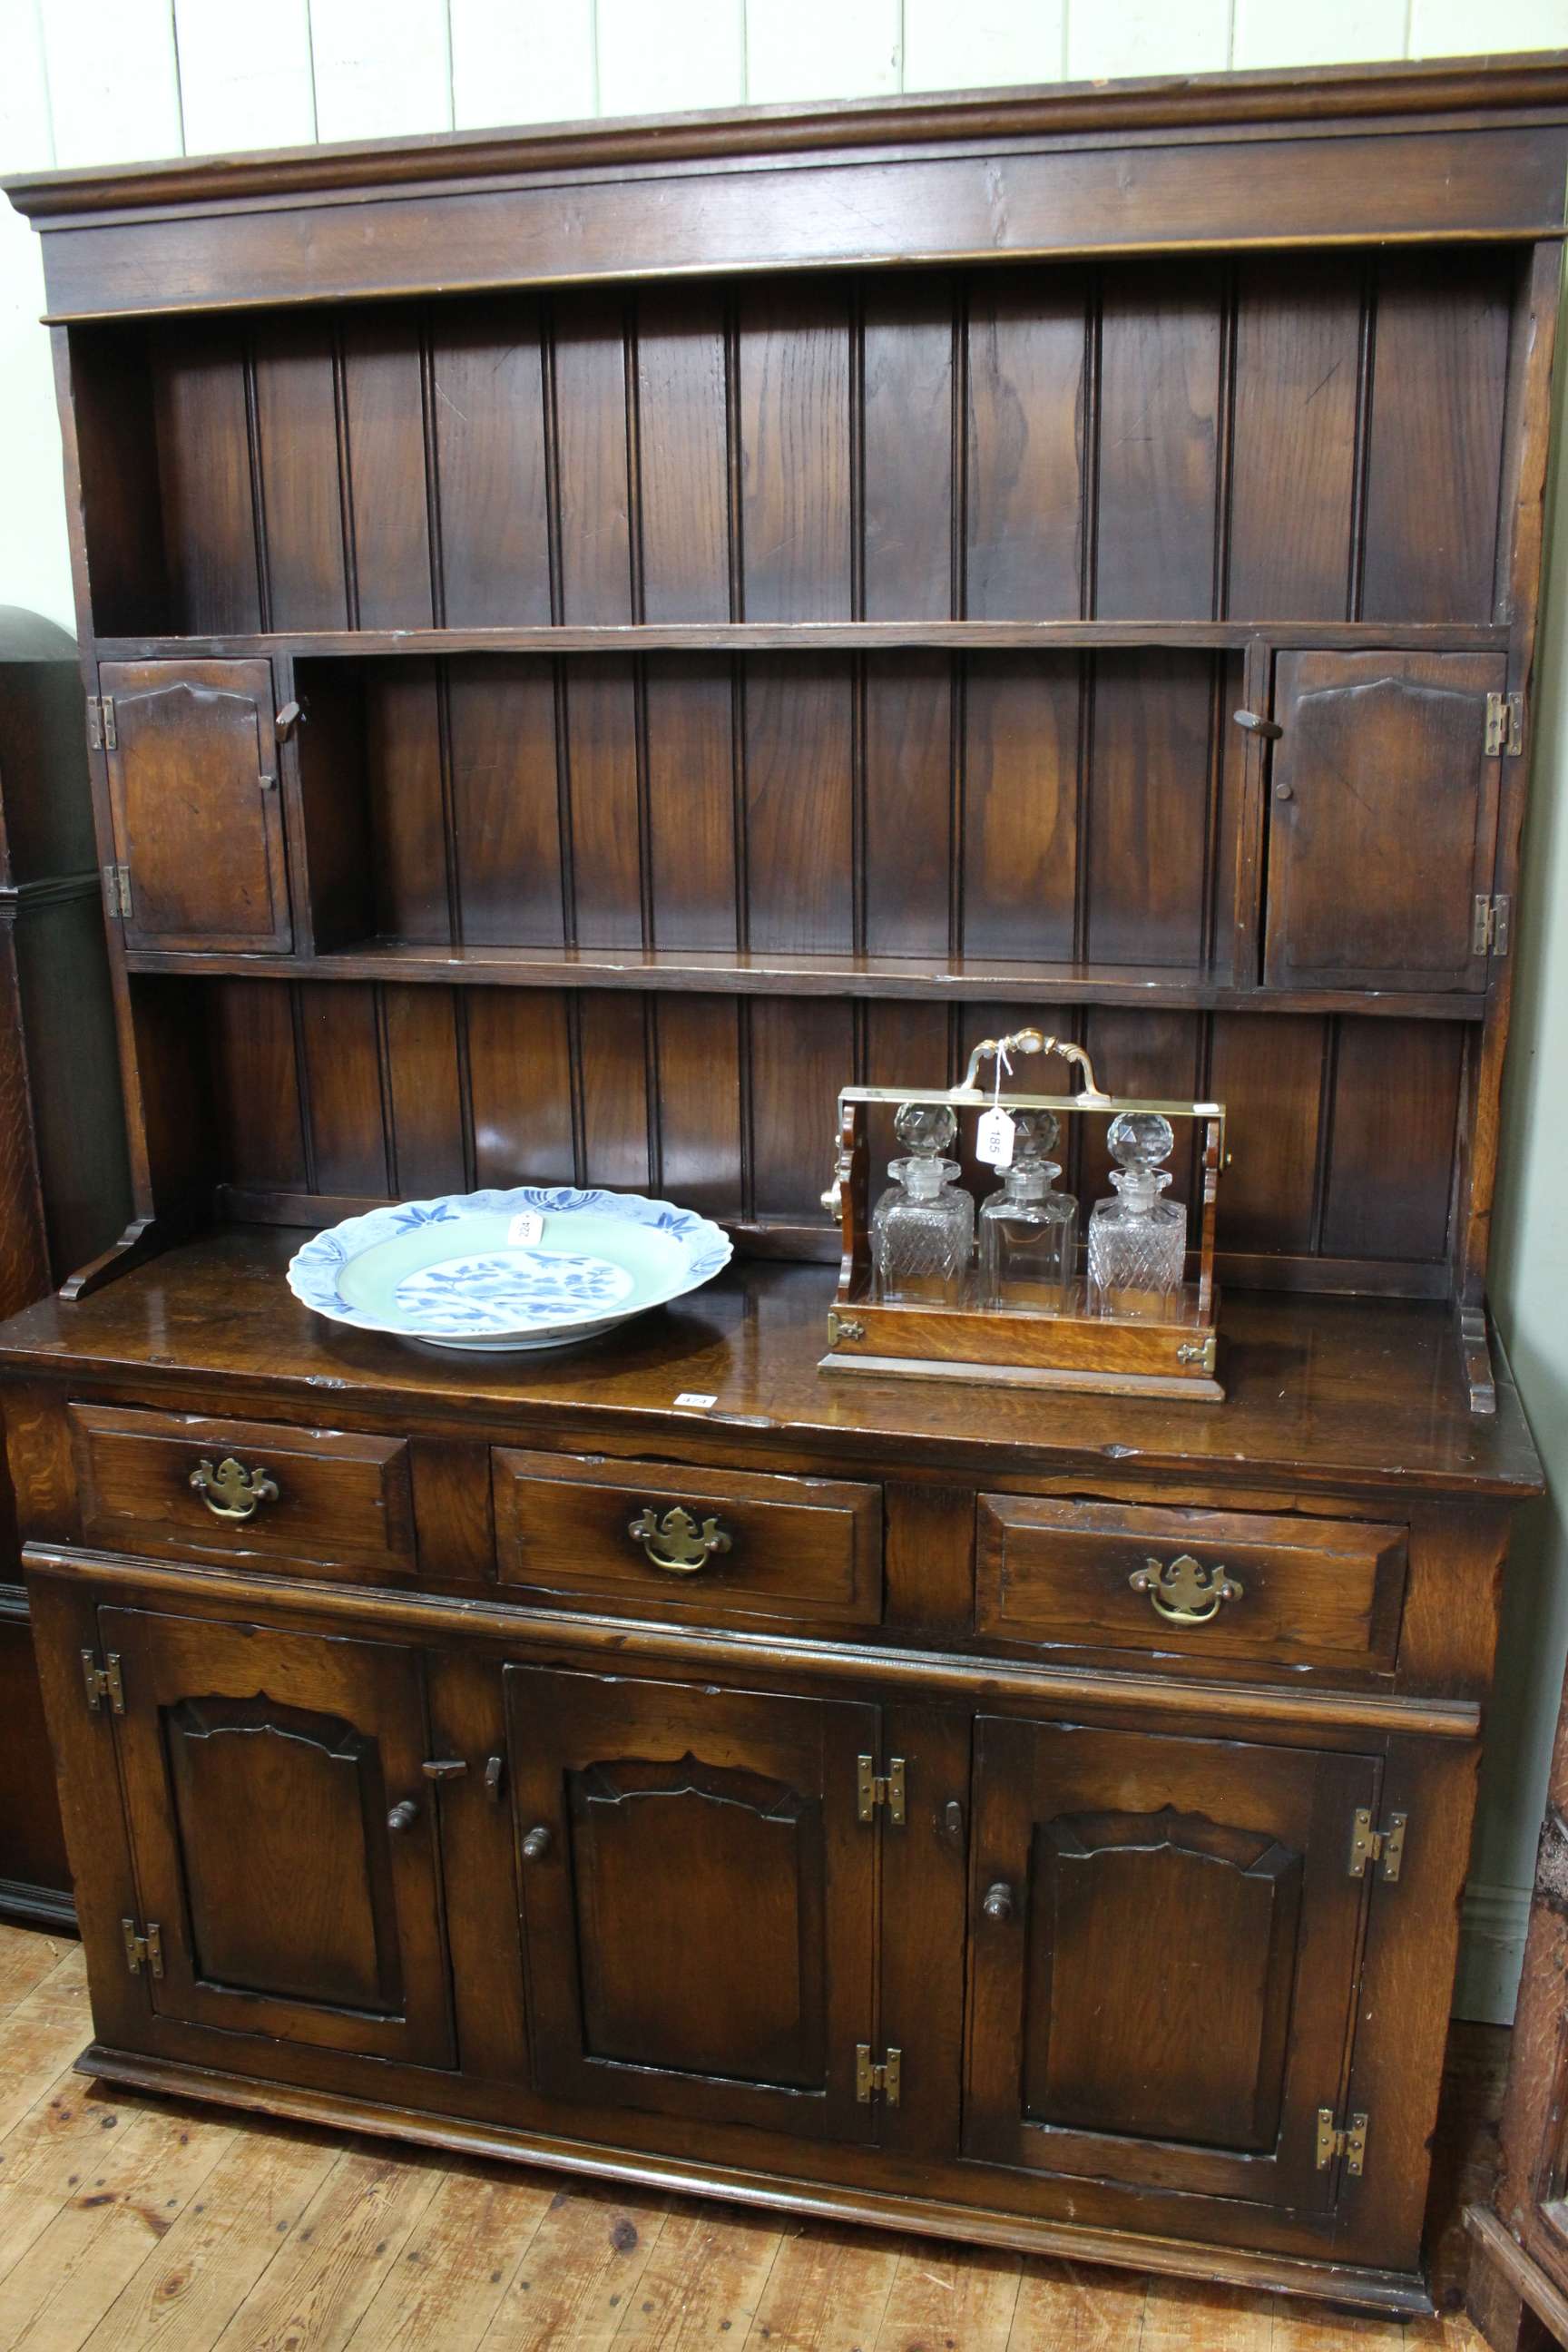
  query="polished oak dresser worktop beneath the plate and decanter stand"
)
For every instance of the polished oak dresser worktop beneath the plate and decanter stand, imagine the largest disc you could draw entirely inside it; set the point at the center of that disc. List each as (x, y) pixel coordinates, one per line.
(1320, 1389)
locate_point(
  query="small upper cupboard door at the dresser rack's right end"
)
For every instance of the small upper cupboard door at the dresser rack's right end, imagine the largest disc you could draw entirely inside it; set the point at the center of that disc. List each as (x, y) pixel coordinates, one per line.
(1383, 820)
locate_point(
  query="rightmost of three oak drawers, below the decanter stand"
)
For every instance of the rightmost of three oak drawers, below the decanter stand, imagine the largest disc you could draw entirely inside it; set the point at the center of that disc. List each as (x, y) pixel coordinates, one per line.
(1299, 1593)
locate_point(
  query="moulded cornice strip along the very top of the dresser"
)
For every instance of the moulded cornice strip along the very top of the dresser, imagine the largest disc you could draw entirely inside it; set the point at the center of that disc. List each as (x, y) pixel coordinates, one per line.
(1320, 98)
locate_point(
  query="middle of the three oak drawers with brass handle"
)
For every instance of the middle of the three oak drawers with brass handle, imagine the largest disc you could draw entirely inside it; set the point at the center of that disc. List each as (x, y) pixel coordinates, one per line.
(728, 1546)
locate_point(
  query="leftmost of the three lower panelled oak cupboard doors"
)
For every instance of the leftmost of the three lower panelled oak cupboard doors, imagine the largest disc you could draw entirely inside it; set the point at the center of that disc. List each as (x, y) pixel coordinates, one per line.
(283, 1833)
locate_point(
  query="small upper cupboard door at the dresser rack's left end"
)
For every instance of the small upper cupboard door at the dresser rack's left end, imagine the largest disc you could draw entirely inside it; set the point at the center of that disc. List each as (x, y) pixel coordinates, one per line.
(196, 808)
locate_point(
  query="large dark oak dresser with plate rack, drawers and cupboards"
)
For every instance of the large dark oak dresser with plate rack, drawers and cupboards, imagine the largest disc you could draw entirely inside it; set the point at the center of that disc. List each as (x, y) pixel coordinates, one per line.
(596, 641)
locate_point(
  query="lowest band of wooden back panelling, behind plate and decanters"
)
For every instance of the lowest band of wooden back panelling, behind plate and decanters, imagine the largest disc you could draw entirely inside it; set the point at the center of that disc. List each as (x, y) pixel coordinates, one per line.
(370, 1093)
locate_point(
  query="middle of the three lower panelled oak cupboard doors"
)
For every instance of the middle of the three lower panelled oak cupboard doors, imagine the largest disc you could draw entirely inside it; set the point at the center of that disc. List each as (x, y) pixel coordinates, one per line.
(697, 1895)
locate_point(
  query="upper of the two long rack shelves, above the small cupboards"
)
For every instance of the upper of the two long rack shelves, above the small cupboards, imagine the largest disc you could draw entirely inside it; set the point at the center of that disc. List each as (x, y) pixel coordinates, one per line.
(822, 636)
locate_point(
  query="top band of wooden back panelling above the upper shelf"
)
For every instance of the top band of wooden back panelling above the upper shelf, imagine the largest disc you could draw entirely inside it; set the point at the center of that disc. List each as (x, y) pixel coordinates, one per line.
(1264, 439)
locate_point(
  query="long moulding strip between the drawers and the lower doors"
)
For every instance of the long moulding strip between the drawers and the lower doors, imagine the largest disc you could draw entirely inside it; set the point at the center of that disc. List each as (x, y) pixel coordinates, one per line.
(979, 1676)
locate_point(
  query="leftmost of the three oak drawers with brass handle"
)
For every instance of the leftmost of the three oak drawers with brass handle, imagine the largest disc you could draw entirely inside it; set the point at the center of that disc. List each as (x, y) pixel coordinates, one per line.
(316, 1499)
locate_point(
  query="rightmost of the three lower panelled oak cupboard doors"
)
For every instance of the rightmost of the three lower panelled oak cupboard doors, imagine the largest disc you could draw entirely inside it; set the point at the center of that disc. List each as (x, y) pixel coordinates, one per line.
(1165, 1949)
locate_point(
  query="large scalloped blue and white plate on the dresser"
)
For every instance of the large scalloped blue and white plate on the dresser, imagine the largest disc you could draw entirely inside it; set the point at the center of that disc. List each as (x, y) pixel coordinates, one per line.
(525, 1269)
